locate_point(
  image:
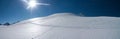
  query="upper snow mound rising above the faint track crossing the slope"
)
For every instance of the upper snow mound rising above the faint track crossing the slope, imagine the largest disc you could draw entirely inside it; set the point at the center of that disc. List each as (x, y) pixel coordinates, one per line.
(71, 20)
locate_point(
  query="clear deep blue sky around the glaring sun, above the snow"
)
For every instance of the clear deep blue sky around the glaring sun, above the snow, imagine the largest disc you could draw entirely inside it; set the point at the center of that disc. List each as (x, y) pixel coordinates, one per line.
(15, 10)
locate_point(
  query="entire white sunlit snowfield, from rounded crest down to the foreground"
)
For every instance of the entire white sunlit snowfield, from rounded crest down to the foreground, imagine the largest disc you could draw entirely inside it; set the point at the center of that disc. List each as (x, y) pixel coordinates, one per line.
(63, 26)
